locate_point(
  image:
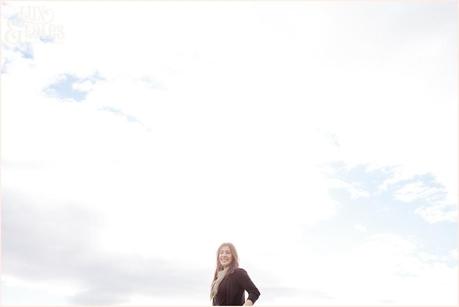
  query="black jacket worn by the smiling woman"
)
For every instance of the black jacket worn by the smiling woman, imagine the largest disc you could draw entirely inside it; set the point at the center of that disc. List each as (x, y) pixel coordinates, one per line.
(232, 287)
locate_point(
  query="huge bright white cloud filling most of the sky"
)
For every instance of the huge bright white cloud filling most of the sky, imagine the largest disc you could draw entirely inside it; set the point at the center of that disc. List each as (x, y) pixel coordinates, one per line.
(232, 140)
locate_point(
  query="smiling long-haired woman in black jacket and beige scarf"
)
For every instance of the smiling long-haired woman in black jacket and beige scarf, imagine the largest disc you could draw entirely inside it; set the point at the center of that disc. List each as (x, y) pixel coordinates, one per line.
(230, 281)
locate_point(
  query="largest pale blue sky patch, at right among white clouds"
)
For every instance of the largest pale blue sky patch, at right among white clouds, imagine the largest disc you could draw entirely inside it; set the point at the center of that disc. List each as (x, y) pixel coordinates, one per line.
(382, 212)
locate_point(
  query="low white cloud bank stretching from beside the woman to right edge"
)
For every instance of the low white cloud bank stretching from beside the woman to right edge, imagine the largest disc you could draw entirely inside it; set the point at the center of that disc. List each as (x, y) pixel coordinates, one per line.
(385, 268)
